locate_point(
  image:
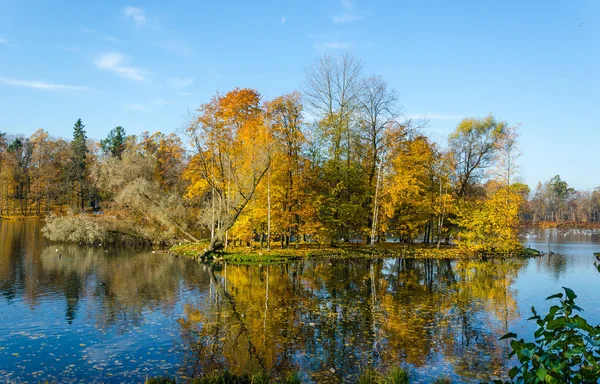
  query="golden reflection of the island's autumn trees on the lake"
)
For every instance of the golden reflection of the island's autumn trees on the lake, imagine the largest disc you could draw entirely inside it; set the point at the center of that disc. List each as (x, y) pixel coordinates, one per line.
(330, 318)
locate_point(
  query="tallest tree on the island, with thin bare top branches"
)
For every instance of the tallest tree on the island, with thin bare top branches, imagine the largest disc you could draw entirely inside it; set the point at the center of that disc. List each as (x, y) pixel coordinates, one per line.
(332, 91)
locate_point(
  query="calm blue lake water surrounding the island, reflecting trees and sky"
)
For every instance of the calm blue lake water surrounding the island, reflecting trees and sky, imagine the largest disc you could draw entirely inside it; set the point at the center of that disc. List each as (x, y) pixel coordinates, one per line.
(107, 315)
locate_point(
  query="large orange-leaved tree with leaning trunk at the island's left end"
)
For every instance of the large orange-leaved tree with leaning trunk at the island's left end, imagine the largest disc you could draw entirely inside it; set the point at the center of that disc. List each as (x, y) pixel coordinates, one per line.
(230, 157)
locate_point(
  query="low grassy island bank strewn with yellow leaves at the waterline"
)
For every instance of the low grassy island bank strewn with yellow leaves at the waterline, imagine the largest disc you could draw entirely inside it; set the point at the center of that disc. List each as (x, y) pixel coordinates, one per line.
(255, 254)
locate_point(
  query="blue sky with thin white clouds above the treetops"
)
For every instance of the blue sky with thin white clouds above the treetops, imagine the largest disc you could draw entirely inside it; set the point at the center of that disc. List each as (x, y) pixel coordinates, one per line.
(148, 65)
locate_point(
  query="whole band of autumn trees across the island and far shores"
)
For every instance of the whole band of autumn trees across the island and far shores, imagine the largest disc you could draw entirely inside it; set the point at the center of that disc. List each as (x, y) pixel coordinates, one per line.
(335, 163)
